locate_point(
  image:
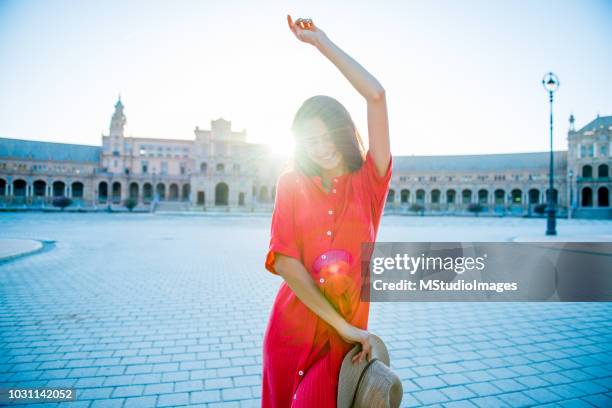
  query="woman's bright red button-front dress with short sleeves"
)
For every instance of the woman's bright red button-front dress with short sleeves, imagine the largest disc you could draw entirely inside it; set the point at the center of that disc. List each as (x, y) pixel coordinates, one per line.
(308, 221)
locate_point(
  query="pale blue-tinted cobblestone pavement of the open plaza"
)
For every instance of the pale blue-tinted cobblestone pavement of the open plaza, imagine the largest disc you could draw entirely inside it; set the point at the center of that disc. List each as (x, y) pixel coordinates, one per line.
(140, 310)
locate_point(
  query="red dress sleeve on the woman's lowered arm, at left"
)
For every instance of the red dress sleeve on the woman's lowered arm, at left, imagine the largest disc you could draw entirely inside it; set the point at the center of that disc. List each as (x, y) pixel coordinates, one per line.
(282, 228)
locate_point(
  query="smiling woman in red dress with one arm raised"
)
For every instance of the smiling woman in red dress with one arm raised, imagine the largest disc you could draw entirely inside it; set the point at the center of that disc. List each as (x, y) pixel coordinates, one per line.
(325, 207)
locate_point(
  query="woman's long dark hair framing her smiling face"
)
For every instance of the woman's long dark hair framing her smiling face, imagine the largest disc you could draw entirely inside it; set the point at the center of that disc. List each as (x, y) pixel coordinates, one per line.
(342, 132)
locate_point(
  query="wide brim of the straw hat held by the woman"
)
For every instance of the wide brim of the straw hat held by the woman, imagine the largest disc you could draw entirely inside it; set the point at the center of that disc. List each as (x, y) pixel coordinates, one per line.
(350, 372)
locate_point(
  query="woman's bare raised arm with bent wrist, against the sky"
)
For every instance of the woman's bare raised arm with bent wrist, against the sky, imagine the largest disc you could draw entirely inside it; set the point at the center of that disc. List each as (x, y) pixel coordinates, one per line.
(362, 81)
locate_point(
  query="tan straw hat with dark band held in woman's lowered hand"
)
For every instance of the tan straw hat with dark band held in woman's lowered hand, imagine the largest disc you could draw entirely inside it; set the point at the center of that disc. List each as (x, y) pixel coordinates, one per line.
(370, 384)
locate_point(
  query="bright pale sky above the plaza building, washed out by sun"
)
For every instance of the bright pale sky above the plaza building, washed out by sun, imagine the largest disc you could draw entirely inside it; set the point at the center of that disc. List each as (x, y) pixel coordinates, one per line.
(461, 77)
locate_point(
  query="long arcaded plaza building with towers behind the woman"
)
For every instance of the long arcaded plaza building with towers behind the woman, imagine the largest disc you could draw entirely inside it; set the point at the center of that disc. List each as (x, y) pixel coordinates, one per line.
(219, 170)
